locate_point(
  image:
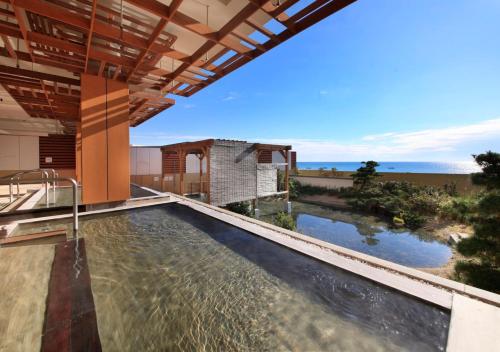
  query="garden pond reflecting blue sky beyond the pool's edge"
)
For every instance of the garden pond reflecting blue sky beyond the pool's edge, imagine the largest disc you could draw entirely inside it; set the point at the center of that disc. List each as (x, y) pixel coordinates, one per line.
(367, 234)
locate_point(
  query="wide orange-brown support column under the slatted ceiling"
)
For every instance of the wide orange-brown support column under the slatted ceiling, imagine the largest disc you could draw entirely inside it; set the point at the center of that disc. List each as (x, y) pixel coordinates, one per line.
(105, 158)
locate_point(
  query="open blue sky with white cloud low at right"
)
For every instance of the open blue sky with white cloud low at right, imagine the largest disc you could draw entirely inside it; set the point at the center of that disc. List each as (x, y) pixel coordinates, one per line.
(390, 80)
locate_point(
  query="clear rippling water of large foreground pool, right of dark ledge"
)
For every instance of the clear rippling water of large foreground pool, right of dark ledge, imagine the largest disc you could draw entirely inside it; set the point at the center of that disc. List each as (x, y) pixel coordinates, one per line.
(169, 278)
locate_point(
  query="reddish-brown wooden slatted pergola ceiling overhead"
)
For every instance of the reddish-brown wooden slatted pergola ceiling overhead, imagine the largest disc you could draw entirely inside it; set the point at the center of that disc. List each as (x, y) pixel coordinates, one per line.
(175, 47)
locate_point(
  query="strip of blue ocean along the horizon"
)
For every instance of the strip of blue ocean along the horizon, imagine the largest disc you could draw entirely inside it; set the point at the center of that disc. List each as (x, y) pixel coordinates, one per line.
(458, 167)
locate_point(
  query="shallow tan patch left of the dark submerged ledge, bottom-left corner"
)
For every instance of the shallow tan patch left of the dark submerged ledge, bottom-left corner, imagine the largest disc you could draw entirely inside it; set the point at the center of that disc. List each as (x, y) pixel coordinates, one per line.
(24, 282)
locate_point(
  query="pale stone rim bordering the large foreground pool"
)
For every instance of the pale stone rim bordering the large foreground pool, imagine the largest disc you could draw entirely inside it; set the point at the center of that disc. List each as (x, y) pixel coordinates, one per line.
(465, 302)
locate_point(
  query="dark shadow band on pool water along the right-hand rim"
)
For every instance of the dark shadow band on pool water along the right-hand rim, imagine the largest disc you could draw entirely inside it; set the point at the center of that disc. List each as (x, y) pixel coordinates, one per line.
(404, 320)
